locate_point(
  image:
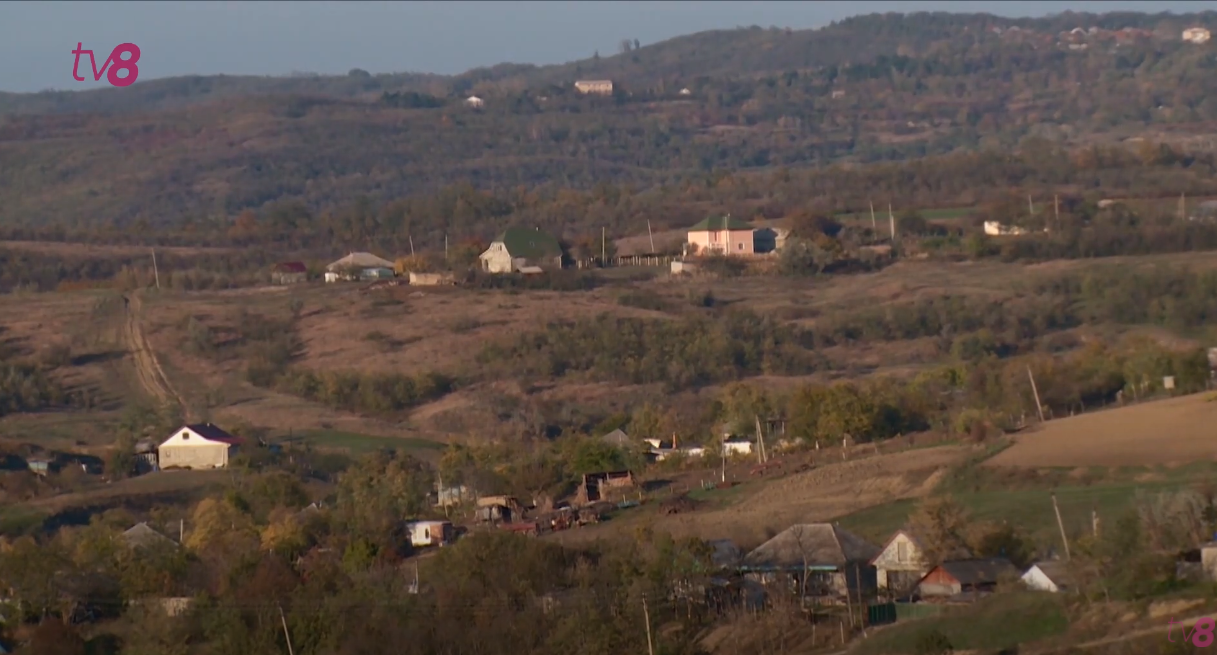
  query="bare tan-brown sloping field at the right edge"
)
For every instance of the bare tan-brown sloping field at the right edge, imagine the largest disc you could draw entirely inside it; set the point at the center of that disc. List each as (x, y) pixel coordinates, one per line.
(1170, 433)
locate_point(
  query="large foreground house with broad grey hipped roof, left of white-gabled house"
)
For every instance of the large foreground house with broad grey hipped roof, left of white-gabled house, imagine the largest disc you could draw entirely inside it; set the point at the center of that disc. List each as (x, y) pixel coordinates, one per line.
(821, 561)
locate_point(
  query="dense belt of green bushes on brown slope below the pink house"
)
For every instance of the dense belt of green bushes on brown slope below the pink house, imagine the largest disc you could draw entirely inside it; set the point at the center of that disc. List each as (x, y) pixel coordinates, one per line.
(681, 354)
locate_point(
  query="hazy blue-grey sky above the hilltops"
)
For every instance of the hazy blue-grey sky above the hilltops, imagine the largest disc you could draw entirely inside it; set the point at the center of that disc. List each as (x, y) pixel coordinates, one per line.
(37, 40)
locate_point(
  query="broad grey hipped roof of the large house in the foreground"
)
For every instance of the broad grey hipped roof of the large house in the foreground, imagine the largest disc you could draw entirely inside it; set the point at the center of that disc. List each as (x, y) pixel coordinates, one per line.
(818, 546)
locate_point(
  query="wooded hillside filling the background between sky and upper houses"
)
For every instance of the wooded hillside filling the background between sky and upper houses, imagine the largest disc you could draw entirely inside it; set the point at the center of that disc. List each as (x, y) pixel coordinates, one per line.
(195, 153)
